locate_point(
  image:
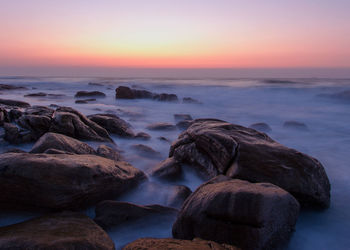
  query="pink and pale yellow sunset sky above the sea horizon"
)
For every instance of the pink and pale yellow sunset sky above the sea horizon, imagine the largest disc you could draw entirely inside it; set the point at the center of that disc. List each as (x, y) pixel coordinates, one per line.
(87, 36)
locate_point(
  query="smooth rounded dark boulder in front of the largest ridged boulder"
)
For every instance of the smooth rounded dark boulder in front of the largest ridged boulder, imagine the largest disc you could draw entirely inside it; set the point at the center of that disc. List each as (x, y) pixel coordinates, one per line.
(236, 212)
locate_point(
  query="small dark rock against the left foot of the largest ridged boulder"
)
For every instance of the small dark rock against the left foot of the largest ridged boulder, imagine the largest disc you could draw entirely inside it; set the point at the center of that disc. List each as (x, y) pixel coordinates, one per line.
(168, 169)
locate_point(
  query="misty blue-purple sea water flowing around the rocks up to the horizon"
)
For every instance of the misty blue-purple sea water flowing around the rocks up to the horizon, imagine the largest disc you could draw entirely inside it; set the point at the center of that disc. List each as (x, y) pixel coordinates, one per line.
(240, 101)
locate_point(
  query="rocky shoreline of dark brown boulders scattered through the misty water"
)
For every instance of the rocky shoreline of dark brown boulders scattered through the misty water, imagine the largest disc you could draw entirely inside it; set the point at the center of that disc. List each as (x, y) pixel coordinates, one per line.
(253, 187)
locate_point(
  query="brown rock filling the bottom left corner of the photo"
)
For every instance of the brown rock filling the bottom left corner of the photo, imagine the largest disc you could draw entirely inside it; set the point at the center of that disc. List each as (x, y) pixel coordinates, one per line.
(56, 231)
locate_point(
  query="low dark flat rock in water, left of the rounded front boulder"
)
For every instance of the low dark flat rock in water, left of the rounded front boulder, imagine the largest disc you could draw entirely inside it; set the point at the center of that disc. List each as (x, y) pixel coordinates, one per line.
(111, 214)
